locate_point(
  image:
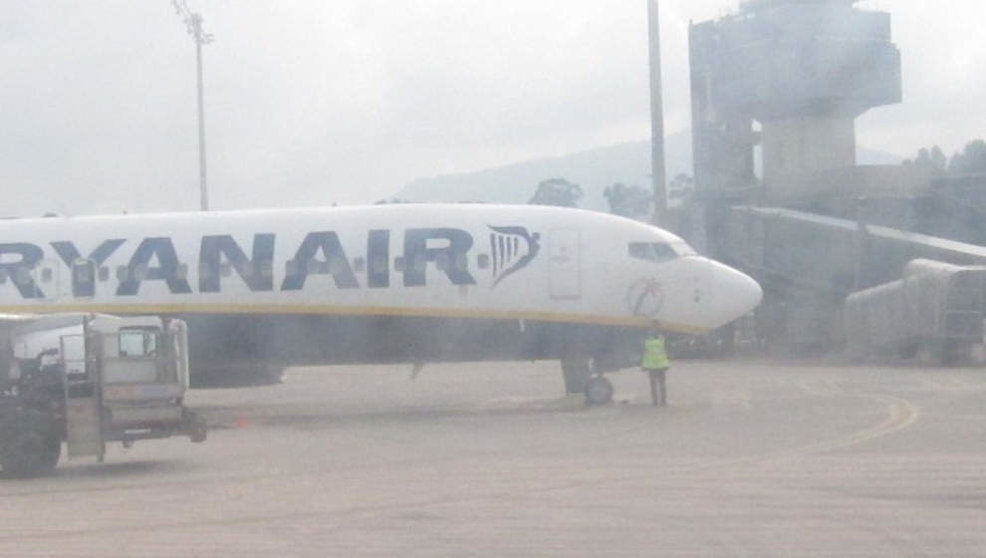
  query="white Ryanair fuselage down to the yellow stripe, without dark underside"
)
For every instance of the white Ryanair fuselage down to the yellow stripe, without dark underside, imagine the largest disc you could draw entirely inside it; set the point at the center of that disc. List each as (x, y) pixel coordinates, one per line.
(461, 261)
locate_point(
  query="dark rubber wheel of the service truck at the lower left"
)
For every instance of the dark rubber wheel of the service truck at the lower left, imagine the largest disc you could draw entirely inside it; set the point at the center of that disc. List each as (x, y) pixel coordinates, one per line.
(32, 449)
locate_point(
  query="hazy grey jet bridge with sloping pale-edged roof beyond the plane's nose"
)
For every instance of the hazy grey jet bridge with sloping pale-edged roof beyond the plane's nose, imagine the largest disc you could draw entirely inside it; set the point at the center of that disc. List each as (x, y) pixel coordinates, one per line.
(809, 264)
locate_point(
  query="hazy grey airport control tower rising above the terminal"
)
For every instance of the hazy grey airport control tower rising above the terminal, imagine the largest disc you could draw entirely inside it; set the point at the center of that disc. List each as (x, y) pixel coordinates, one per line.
(804, 70)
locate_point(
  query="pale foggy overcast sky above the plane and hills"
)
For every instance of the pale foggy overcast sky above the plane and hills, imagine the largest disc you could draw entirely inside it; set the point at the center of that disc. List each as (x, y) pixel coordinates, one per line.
(311, 103)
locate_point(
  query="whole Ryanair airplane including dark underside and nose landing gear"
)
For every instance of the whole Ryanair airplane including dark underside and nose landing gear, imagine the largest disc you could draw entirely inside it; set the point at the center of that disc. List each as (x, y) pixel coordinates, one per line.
(262, 290)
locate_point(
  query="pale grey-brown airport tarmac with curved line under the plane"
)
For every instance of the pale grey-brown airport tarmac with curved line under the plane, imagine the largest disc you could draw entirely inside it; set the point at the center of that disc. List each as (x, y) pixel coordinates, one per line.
(749, 459)
